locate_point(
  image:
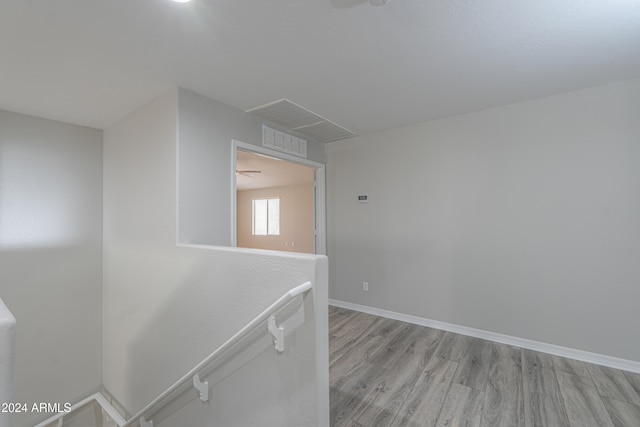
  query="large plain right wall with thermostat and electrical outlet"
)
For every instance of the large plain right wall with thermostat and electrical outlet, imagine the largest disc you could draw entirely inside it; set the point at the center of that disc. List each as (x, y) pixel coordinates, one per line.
(522, 220)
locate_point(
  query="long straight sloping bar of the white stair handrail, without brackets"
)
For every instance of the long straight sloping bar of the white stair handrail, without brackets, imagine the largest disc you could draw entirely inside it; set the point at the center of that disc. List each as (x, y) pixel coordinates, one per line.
(187, 380)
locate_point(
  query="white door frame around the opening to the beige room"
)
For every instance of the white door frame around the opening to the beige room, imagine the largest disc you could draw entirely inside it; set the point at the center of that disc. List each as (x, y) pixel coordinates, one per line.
(319, 218)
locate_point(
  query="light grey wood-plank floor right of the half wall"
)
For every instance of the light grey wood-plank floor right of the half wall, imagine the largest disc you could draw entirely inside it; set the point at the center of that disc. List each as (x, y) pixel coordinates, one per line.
(385, 372)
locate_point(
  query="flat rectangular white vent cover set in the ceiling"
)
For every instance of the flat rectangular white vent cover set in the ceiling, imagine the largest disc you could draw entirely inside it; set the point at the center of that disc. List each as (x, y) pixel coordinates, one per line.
(296, 118)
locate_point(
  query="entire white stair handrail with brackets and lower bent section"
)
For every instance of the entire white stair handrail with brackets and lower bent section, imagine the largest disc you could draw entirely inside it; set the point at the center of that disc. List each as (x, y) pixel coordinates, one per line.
(191, 378)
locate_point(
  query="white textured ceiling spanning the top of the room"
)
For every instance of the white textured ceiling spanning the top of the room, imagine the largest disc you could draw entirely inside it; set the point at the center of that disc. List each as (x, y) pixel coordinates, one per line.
(366, 68)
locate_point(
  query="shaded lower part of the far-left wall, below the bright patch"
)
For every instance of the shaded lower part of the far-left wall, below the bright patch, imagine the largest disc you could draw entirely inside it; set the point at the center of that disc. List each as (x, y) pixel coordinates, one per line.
(55, 293)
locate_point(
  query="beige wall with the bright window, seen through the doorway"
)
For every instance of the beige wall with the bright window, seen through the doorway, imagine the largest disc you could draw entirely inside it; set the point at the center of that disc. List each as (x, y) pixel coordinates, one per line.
(296, 219)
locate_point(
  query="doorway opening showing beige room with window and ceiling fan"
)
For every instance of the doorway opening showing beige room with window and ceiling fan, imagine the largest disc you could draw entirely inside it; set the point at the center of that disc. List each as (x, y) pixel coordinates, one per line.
(278, 201)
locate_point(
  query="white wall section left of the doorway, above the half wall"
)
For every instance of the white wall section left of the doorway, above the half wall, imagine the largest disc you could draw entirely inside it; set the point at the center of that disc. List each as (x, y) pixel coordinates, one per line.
(206, 128)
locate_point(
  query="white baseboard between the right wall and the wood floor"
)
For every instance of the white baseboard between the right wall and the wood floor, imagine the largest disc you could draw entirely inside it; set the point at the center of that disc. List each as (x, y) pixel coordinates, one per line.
(571, 353)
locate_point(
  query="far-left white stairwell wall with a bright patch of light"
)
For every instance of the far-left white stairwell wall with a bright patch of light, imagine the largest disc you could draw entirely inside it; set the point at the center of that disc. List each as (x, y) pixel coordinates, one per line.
(51, 256)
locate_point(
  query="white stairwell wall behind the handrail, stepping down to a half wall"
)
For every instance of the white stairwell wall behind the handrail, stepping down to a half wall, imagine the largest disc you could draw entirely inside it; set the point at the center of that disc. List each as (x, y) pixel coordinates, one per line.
(167, 307)
